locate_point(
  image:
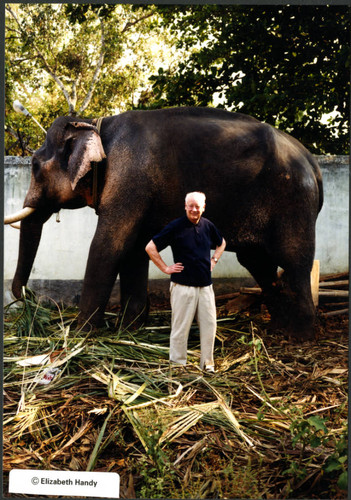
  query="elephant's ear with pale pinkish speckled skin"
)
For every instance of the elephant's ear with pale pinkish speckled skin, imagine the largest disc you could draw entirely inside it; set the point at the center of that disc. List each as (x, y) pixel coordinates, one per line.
(86, 148)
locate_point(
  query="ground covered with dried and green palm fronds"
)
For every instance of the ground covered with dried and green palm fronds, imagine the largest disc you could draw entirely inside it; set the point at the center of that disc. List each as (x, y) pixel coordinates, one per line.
(270, 423)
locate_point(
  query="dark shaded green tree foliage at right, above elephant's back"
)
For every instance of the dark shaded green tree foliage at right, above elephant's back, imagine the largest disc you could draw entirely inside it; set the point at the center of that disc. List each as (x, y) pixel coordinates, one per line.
(286, 65)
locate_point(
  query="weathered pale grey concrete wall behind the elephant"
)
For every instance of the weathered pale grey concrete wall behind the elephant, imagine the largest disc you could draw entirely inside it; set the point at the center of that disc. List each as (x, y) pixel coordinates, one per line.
(64, 246)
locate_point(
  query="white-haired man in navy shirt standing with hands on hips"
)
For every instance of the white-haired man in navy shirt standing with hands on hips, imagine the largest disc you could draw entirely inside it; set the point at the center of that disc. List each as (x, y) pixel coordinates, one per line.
(191, 238)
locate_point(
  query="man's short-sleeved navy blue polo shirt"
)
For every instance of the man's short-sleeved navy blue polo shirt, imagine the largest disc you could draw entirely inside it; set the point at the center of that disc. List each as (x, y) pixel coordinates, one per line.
(191, 245)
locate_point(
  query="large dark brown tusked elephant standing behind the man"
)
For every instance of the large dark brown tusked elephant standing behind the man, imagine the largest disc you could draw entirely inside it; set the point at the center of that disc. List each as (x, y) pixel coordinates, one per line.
(263, 187)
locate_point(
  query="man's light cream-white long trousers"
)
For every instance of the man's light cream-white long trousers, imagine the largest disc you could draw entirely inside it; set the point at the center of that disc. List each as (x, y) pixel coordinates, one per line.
(187, 303)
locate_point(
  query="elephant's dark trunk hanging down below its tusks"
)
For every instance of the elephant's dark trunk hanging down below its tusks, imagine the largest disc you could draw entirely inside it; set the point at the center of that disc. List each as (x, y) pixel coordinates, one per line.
(30, 235)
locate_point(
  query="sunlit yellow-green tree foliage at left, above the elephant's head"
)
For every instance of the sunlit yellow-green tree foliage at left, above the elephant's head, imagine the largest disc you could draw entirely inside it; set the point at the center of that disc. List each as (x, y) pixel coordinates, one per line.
(89, 60)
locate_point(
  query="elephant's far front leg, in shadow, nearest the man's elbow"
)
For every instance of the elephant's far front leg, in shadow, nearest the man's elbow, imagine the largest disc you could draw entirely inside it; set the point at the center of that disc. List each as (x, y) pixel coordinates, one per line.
(133, 275)
